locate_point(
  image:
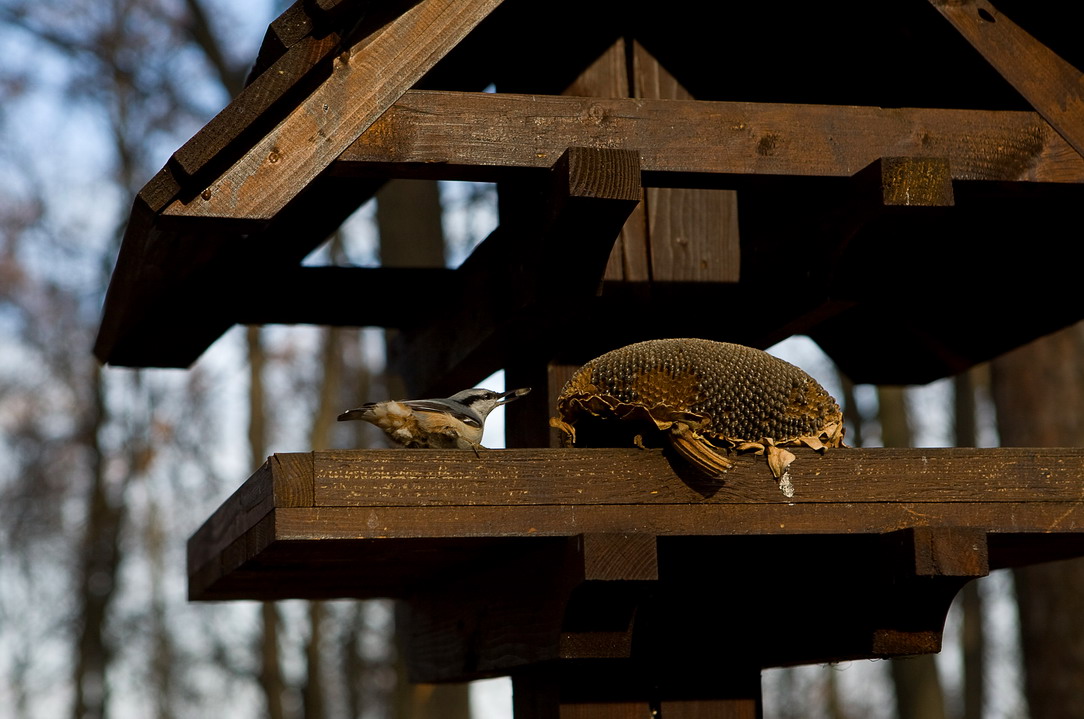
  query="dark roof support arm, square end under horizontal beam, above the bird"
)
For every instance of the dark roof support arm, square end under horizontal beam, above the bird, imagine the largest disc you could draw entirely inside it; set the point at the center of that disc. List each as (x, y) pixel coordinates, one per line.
(508, 300)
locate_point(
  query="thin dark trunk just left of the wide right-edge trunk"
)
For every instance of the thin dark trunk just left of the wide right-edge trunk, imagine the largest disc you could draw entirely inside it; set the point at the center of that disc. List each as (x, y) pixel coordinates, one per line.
(972, 638)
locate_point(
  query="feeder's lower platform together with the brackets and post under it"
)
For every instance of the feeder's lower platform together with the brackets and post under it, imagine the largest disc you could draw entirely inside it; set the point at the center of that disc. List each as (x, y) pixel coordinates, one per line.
(601, 562)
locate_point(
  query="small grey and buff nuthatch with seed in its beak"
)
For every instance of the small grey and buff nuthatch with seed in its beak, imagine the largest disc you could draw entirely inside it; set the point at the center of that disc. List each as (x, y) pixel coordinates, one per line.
(455, 422)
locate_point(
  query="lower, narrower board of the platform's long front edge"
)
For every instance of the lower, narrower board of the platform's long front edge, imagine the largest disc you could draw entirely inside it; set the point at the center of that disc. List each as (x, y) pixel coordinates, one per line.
(670, 520)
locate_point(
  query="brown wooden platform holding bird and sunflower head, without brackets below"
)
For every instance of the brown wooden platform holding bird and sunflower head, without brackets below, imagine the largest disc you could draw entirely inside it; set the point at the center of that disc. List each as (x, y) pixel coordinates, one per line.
(382, 523)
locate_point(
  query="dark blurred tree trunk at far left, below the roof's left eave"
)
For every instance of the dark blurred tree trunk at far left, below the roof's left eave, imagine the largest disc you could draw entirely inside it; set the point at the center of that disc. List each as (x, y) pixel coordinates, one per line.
(98, 569)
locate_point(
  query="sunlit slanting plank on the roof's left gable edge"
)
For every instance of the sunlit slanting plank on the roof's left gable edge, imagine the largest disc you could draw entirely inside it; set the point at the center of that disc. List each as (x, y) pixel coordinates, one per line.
(364, 83)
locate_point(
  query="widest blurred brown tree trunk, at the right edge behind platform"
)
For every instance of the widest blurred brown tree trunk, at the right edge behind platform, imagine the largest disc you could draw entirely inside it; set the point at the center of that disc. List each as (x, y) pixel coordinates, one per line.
(1039, 392)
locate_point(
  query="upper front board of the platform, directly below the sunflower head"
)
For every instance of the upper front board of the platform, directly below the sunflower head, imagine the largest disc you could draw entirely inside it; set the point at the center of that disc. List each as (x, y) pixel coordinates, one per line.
(559, 478)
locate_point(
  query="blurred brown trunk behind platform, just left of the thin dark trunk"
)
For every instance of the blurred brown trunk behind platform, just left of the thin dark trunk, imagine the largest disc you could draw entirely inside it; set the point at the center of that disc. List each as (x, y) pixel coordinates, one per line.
(919, 694)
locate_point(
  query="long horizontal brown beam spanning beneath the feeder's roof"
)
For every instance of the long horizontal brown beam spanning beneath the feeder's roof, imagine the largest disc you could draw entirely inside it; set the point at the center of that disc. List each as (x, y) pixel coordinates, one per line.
(486, 137)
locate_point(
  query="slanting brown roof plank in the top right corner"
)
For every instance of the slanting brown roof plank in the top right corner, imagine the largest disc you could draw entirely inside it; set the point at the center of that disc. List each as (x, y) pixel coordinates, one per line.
(1052, 86)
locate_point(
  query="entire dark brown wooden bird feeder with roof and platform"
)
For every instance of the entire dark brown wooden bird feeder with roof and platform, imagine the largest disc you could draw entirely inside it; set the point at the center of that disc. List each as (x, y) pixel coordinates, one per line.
(894, 181)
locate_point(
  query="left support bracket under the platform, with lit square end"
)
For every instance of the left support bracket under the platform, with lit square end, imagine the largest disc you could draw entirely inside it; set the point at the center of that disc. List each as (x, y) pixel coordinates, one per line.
(574, 599)
